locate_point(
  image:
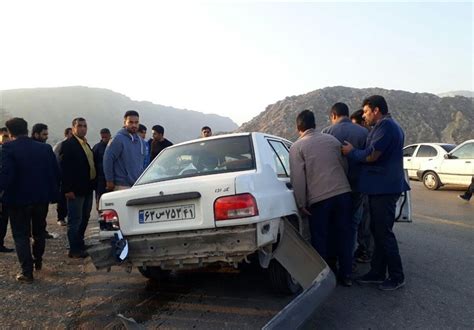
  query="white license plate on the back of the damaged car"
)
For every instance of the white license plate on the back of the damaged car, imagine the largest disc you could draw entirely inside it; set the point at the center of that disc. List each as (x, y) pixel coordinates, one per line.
(170, 213)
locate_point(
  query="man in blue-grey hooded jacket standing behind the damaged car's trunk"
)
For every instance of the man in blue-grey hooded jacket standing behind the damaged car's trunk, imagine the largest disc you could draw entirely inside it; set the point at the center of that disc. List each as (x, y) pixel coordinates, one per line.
(124, 156)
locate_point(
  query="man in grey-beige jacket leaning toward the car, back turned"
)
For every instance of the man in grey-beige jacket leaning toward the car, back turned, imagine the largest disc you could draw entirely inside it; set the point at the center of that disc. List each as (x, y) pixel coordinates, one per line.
(322, 192)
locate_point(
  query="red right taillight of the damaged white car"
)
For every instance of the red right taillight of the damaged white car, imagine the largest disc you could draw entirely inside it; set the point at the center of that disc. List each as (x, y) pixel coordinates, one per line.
(234, 207)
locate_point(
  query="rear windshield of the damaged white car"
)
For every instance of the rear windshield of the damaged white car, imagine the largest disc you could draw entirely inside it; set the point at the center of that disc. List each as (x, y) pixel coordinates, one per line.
(203, 157)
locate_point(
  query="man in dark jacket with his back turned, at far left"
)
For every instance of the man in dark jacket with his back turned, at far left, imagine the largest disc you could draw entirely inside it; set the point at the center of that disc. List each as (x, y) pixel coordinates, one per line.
(29, 179)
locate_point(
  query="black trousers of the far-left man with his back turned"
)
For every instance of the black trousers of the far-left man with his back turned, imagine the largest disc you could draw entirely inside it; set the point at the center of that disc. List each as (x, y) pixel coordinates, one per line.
(27, 221)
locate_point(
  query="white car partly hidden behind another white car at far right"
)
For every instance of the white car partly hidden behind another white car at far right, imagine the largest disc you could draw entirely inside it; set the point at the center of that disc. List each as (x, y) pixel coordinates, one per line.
(416, 154)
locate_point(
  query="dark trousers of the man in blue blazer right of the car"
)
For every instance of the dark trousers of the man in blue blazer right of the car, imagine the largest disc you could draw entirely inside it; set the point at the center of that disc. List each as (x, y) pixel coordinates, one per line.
(386, 254)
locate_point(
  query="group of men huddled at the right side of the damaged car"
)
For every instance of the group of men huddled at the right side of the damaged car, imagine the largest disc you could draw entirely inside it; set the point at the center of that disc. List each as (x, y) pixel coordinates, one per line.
(347, 180)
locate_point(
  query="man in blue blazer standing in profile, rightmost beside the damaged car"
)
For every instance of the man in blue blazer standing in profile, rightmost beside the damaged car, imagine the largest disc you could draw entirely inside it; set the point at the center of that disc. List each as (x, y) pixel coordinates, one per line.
(382, 179)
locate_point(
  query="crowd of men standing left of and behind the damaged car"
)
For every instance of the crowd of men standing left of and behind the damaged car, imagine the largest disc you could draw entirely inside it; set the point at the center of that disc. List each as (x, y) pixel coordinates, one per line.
(33, 175)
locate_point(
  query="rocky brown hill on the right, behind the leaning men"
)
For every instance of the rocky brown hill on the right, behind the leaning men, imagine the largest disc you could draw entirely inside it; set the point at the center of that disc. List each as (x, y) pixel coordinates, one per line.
(424, 117)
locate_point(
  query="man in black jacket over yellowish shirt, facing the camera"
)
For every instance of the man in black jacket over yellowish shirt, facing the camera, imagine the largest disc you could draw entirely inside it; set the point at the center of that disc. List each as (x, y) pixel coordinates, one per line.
(78, 179)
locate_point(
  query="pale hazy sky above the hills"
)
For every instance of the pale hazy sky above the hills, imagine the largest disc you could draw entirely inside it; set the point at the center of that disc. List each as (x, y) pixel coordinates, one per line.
(235, 58)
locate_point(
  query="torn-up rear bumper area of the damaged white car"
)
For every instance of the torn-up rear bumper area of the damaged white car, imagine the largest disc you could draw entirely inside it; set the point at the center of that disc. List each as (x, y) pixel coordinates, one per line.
(181, 250)
